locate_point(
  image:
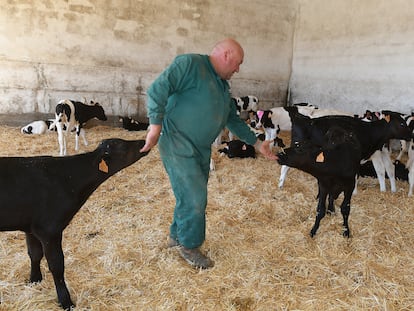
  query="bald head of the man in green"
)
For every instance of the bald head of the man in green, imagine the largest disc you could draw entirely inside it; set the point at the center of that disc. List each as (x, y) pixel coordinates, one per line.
(226, 57)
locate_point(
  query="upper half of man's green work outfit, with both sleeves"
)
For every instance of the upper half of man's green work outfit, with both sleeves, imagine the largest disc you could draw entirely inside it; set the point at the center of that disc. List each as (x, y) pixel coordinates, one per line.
(190, 98)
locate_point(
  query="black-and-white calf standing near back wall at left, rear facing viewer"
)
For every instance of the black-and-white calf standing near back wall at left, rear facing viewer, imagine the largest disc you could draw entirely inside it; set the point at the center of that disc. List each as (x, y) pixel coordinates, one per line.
(73, 115)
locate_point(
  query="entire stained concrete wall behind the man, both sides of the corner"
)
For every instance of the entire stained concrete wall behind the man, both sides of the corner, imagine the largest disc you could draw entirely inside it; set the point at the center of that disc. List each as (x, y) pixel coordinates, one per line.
(343, 54)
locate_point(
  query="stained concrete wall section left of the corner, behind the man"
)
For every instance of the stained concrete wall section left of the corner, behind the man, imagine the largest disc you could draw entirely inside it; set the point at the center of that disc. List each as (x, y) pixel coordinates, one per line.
(110, 51)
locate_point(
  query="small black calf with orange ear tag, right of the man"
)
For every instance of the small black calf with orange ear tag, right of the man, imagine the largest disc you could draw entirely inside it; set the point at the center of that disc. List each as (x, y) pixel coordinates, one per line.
(335, 164)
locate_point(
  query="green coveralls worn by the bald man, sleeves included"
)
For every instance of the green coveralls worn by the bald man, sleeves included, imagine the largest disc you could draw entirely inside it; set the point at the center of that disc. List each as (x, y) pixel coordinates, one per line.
(193, 104)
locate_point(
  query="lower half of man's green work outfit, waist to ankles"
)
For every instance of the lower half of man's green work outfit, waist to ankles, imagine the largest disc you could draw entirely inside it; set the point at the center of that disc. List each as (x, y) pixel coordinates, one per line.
(188, 170)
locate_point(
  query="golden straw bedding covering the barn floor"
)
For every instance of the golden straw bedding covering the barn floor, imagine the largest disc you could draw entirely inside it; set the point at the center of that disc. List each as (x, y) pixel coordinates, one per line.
(258, 235)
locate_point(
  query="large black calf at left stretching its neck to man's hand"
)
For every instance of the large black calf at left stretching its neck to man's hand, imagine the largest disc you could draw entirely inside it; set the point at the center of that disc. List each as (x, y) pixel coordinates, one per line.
(40, 195)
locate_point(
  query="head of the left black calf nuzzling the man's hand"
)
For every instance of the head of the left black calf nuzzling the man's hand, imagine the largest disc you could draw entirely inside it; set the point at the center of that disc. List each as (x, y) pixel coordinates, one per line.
(116, 154)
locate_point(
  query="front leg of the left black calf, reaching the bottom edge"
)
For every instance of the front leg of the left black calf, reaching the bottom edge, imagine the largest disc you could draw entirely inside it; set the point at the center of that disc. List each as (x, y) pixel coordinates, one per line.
(55, 260)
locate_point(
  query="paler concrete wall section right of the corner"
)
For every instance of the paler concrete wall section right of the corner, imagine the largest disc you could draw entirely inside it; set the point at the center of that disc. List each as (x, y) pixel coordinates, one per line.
(353, 55)
